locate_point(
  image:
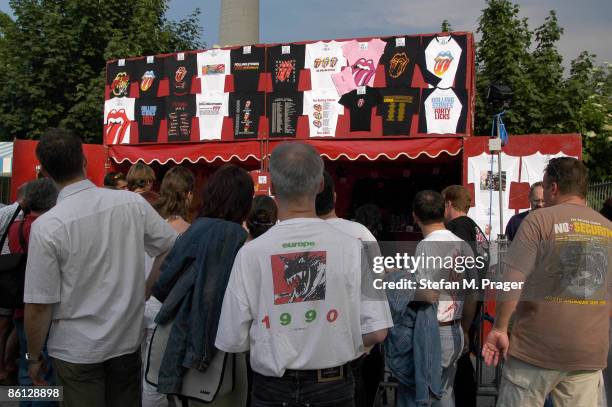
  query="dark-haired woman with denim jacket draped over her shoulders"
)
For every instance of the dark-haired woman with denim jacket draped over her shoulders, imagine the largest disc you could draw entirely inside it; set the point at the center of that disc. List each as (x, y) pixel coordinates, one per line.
(194, 277)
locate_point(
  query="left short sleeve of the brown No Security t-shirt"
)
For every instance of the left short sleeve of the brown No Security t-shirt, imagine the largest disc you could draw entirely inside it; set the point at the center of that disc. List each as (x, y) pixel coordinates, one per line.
(523, 251)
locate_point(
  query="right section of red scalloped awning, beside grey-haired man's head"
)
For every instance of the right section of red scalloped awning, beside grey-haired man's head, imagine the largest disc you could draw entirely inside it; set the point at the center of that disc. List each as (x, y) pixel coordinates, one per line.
(390, 149)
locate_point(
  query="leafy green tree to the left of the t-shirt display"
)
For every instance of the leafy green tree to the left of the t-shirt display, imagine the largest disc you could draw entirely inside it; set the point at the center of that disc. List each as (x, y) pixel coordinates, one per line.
(54, 55)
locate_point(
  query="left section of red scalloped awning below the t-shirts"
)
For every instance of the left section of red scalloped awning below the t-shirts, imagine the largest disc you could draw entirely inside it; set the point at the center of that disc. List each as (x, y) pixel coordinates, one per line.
(192, 152)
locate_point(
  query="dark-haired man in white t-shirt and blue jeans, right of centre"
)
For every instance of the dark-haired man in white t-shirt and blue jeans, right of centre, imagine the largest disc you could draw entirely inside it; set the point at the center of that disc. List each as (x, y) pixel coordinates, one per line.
(428, 212)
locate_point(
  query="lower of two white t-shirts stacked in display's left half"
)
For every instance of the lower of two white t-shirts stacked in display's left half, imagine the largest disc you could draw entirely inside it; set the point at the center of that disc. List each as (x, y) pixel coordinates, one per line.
(211, 108)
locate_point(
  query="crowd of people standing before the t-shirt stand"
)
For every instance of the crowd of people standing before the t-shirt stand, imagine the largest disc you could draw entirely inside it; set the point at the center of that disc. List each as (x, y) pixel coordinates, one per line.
(273, 290)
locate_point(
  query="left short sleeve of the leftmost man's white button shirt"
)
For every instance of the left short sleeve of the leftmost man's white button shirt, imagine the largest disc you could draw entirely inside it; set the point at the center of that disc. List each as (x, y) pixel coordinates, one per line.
(43, 277)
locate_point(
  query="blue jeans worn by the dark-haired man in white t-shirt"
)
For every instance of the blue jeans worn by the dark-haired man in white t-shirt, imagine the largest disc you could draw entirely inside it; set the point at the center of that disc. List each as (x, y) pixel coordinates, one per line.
(451, 341)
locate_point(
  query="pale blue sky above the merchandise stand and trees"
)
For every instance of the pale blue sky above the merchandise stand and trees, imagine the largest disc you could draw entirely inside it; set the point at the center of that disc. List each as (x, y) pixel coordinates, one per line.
(586, 22)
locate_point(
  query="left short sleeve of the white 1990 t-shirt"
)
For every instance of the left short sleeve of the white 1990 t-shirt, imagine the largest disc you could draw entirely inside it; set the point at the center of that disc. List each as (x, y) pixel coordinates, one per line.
(236, 318)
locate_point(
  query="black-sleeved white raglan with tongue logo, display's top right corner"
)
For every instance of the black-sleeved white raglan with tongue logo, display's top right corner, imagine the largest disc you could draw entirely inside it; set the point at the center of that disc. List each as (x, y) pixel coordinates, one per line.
(444, 63)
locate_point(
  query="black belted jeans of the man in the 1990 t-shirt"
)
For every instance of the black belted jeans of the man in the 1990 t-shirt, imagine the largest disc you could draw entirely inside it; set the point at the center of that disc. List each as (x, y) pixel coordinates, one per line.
(293, 391)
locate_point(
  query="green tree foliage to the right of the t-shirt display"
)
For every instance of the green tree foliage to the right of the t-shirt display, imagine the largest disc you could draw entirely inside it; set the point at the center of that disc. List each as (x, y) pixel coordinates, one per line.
(544, 100)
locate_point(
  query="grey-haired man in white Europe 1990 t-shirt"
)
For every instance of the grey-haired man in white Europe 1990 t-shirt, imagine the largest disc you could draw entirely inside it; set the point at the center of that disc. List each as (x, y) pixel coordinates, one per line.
(294, 296)
